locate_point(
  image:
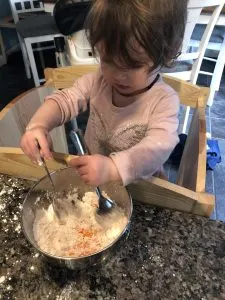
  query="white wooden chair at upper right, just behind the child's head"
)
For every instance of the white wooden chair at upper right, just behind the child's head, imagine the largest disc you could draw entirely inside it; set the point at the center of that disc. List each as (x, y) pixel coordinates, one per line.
(189, 63)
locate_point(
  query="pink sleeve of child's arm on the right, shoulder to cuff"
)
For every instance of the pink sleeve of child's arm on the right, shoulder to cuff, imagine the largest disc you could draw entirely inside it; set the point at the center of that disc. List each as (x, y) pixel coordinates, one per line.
(144, 159)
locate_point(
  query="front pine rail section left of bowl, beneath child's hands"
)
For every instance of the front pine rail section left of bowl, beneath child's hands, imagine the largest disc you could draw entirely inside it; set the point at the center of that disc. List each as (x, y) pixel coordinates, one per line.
(13, 162)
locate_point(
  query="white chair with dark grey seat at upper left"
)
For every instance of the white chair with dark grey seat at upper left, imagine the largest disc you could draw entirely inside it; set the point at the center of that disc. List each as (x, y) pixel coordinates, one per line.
(35, 27)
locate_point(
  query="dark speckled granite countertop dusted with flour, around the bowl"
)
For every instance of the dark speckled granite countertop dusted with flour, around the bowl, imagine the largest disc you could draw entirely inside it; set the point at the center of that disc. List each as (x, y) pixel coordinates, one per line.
(168, 255)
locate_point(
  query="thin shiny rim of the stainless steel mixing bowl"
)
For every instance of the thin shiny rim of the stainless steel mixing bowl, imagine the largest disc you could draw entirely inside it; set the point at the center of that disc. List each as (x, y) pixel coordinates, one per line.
(71, 257)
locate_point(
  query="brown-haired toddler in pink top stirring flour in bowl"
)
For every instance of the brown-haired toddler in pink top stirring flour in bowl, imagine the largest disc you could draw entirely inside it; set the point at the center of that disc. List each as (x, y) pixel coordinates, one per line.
(132, 127)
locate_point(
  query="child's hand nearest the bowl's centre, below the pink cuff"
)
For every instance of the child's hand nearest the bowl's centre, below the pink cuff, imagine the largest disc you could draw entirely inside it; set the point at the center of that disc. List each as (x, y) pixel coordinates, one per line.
(95, 169)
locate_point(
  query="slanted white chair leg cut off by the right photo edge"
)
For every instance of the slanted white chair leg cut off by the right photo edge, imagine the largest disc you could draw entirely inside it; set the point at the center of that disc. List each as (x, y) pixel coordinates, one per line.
(217, 73)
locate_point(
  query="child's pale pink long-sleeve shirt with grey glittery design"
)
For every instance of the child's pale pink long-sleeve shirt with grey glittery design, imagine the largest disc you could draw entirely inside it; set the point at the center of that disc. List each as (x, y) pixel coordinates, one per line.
(138, 137)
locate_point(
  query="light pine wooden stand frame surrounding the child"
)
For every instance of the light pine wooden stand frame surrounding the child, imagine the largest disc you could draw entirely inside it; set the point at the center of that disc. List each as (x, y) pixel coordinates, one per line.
(188, 194)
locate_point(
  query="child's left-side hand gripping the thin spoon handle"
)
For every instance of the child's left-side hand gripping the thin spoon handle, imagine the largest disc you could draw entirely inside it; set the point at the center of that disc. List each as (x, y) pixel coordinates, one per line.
(29, 144)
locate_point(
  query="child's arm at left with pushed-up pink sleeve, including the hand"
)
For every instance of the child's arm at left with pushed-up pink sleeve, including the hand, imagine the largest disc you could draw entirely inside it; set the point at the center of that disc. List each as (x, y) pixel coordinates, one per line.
(58, 108)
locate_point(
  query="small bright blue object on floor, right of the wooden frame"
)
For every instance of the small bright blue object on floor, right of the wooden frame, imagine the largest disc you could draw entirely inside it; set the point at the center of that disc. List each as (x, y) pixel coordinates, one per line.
(213, 154)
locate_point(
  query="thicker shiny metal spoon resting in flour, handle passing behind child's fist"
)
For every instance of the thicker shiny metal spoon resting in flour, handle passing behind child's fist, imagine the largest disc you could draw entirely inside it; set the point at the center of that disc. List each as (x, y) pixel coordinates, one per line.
(105, 204)
